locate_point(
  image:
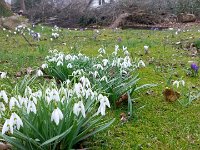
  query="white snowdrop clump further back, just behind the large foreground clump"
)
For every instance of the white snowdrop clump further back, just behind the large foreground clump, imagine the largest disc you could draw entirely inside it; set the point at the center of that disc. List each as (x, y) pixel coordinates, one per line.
(112, 74)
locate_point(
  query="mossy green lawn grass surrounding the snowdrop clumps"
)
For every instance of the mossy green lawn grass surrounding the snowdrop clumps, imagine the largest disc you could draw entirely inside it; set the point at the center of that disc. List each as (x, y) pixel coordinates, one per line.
(156, 124)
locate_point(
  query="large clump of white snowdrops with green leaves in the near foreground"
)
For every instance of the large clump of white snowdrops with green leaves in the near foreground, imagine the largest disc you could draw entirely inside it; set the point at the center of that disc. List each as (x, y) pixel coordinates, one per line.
(52, 117)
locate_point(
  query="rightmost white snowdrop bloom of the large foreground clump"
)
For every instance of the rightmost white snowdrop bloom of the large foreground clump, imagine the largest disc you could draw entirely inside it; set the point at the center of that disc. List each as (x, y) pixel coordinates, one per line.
(103, 103)
